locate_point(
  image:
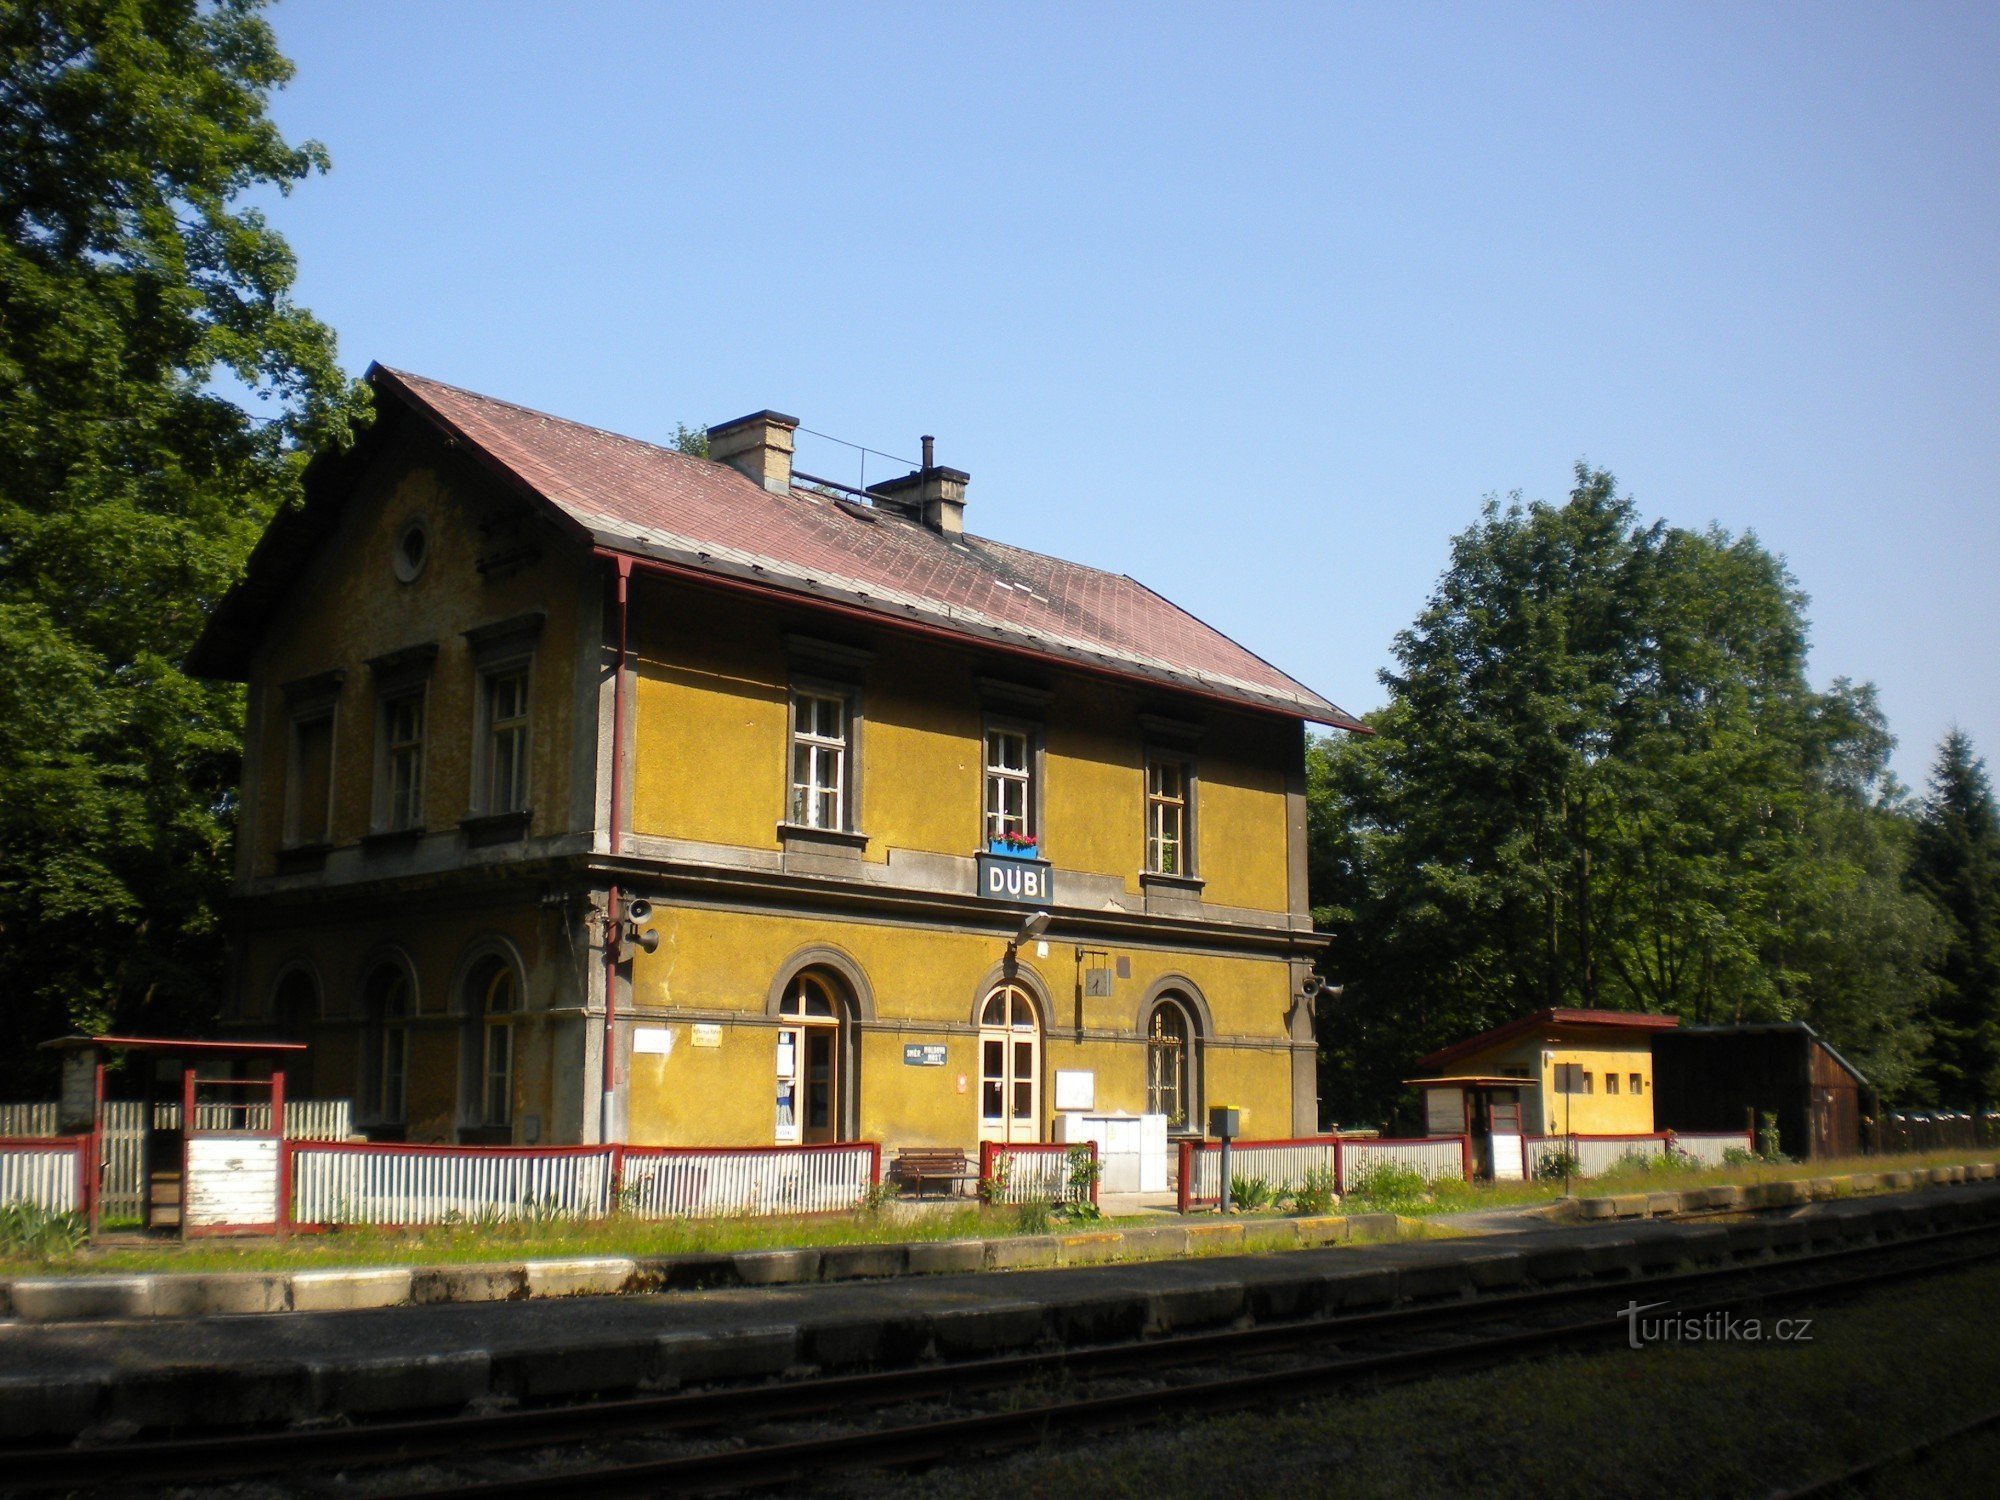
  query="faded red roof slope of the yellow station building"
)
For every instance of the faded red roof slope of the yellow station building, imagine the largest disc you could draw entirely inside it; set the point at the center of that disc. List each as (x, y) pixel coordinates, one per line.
(659, 503)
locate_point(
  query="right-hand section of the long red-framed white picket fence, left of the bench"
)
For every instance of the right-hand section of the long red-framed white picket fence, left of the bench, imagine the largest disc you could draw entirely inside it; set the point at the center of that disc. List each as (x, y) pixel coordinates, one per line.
(781, 1181)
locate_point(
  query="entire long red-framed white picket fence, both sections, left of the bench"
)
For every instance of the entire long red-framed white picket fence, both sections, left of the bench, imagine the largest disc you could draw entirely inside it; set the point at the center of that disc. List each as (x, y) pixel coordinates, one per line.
(441, 1185)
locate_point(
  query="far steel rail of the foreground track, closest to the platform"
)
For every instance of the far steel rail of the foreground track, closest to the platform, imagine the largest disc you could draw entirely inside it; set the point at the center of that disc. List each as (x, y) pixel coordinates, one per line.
(381, 1443)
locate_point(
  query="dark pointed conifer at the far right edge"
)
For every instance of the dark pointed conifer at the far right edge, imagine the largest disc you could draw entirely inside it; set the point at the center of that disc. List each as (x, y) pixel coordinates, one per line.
(1957, 869)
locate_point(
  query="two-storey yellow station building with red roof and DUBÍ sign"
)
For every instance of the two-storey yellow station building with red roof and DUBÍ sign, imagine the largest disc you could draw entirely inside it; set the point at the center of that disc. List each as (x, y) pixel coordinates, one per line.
(597, 791)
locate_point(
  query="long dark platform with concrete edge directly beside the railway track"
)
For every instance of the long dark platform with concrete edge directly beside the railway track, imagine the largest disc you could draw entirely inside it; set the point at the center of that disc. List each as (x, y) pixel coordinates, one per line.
(223, 1371)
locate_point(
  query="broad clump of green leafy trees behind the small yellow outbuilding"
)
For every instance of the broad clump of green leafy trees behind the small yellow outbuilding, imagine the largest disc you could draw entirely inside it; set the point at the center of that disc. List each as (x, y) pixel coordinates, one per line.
(1605, 781)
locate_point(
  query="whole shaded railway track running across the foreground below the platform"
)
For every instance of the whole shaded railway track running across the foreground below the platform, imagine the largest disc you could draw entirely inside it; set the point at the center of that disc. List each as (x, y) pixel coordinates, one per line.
(743, 1439)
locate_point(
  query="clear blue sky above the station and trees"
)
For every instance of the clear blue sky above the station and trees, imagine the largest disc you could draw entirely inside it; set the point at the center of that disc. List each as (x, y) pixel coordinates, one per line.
(1251, 303)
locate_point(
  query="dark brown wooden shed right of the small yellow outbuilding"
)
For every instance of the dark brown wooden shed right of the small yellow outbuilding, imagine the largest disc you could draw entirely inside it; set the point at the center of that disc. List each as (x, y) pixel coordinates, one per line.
(1713, 1077)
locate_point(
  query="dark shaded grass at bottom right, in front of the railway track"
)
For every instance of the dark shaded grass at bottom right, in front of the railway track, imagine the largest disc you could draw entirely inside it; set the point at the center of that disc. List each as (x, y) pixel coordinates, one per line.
(1685, 1421)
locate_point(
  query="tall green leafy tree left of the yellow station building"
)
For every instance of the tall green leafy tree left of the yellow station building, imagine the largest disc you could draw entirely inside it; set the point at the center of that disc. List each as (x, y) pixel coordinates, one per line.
(137, 293)
